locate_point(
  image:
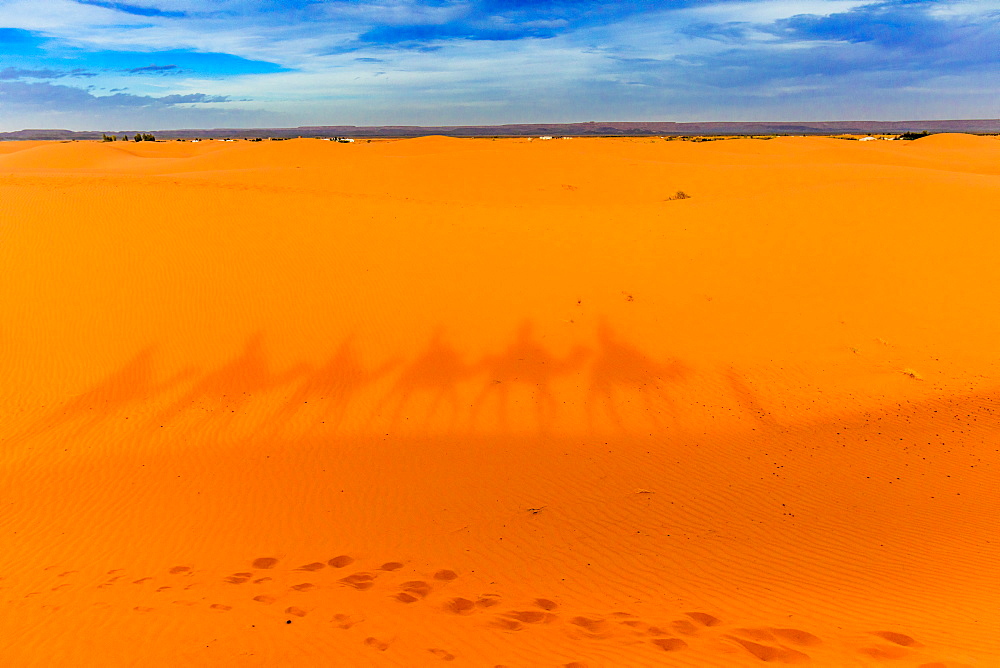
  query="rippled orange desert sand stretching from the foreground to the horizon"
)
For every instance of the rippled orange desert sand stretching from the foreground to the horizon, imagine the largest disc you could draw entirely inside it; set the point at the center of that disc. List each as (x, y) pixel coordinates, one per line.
(500, 403)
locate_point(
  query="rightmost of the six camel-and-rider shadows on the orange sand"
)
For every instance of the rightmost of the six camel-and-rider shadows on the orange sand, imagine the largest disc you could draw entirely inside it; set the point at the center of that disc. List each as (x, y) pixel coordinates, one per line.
(619, 369)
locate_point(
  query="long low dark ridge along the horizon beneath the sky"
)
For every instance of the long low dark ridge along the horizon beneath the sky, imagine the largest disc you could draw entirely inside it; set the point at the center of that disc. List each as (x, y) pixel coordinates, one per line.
(590, 129)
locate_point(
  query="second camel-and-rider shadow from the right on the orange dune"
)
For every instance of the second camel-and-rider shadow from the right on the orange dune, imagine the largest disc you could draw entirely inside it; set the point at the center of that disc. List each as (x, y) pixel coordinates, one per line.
(528, 365)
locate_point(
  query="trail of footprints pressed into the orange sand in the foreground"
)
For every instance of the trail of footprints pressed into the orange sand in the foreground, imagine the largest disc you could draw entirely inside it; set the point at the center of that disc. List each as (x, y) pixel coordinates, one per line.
(441, 592)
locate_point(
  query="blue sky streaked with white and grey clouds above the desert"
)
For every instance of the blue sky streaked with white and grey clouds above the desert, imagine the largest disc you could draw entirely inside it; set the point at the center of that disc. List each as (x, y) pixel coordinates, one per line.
(160, 64)
